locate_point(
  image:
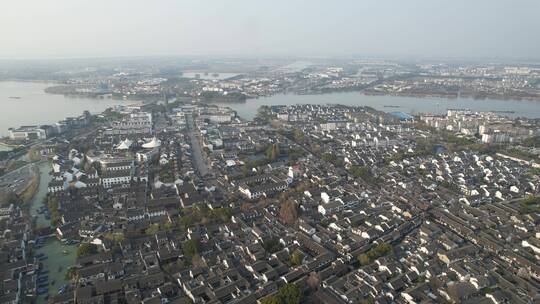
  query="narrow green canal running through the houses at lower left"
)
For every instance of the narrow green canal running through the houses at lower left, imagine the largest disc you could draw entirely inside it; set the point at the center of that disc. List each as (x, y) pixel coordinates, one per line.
(59, 257)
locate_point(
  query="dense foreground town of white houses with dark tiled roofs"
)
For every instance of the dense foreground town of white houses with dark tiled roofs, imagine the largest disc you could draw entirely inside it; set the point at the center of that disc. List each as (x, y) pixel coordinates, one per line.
(186, 202)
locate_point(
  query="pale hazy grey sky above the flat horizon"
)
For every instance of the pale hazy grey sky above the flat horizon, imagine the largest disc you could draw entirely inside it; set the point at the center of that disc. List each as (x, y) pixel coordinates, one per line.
(423, 28)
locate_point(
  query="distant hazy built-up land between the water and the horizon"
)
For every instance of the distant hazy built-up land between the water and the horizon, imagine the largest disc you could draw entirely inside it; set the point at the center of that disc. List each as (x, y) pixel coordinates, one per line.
(244, 79)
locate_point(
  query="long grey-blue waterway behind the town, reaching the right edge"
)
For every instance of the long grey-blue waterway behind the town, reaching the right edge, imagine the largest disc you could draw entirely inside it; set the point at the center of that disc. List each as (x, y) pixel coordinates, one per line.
(411, 105)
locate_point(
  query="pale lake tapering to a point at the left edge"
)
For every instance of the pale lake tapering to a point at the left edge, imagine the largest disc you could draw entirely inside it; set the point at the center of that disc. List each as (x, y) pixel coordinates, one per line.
(25, 103)
